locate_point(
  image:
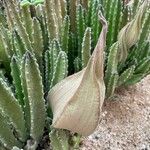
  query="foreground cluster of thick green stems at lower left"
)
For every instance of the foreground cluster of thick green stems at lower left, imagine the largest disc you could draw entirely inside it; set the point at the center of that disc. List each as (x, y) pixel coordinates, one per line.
(23, 110)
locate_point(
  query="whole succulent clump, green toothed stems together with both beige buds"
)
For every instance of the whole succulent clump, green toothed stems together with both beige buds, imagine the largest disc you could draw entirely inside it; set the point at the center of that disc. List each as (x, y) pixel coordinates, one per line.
(43, 41)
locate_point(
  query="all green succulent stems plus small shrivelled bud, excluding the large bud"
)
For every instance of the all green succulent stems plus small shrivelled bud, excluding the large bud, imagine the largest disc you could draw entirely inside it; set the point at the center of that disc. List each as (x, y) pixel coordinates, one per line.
(41, 42)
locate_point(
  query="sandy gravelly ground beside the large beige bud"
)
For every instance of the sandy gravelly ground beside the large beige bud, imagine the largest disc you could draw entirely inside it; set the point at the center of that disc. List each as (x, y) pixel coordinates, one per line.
(125, 121)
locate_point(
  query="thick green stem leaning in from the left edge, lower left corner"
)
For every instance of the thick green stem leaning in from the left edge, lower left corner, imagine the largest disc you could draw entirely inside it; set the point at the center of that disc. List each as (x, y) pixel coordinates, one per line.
(9, 104)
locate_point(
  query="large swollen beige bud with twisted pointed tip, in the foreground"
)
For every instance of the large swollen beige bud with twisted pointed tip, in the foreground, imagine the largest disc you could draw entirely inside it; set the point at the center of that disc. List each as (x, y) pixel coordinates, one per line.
(77, 100)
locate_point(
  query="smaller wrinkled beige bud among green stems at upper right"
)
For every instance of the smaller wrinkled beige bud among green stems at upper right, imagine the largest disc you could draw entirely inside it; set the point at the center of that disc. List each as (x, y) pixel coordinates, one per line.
(130, 33)
